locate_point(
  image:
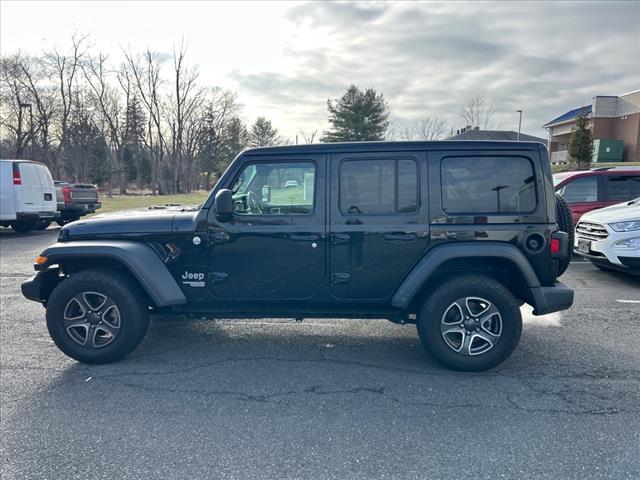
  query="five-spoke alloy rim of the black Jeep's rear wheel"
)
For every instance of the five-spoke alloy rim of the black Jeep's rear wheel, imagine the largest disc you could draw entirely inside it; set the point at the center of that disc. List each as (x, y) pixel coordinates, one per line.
(471, 326)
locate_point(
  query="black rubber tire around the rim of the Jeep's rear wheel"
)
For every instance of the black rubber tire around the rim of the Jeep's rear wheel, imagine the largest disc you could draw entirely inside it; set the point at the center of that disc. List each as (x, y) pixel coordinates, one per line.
(439, 302)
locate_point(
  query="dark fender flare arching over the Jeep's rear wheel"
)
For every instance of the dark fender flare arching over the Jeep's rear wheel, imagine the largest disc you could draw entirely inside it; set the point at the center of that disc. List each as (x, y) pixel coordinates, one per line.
(423, 270)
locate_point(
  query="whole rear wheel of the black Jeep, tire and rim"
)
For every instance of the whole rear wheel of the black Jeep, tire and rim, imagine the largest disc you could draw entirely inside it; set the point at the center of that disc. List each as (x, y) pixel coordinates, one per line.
(470, 323)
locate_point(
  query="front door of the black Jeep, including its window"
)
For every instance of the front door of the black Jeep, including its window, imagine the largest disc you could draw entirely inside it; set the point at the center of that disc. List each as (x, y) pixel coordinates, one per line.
(273, 246)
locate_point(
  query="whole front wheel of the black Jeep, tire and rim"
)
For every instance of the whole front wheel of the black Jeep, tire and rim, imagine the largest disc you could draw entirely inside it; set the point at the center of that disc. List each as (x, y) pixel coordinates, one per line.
(97, 316)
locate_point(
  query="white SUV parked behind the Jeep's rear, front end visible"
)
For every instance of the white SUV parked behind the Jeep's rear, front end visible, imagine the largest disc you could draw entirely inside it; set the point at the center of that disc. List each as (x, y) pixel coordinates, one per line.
(610, 237)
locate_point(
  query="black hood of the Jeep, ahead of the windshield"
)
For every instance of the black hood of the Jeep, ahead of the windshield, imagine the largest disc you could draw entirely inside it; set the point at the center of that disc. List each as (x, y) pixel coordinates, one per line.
(152, 220)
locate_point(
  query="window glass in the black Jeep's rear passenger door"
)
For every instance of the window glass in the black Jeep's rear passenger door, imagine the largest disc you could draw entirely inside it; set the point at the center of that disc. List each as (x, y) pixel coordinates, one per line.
(378, 187)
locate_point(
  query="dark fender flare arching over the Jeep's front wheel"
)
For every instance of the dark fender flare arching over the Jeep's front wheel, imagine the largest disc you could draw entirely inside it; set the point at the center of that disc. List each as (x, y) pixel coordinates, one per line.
(139, 258)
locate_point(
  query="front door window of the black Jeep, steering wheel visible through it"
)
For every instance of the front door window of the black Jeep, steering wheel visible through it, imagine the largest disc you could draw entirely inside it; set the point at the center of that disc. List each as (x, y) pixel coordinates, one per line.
(285, 188)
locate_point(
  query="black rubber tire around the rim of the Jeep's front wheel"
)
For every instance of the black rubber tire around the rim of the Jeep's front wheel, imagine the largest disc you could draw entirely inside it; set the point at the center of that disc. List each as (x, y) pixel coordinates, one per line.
(126, 295)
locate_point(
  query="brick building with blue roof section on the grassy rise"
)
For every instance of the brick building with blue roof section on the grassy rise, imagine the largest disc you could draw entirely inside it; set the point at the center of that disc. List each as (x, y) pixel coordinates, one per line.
(611, 118)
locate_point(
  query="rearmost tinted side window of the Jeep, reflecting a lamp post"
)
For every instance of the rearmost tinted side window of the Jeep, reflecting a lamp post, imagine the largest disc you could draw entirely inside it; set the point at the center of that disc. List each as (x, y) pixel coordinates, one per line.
(488, 185)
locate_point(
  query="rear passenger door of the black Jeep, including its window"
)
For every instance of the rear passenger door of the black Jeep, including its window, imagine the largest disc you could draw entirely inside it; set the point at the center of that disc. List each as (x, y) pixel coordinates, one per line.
(378, 221)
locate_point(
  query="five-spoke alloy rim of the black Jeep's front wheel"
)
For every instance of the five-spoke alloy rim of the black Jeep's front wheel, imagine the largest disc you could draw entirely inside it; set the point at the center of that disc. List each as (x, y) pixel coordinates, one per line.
(92, 319)
